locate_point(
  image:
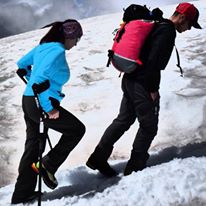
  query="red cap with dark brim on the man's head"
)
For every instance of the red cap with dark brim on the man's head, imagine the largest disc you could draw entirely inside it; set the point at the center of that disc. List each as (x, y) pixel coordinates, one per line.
(191, 12)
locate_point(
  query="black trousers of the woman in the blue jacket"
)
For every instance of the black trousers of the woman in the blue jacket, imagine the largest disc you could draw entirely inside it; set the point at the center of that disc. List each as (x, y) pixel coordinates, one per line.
(72, 131)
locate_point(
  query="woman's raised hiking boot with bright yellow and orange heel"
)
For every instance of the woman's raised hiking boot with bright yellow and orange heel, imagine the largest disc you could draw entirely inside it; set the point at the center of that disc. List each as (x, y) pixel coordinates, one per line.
(48, 178)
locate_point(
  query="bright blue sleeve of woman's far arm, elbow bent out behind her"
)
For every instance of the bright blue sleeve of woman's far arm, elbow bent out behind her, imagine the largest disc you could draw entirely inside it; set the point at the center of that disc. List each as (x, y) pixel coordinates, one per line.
(26, 61)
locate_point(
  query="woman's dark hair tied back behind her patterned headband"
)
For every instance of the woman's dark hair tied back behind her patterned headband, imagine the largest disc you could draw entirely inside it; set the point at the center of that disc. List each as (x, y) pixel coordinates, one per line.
(55, 34)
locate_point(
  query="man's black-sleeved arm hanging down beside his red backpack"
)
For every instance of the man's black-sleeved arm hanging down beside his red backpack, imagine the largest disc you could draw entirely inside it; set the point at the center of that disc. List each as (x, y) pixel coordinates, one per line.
(162, 45)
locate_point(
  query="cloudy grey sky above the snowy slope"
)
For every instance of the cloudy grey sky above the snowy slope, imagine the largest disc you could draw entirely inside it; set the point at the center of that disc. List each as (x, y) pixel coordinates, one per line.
(17, 16)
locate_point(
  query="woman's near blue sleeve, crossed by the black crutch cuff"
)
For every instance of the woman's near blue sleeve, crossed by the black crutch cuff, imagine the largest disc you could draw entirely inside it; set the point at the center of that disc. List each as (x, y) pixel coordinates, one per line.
(45, 72)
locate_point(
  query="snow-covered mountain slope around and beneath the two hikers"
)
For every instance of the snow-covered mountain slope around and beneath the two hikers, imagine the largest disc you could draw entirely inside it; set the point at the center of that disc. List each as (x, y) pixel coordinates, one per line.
(176, 172)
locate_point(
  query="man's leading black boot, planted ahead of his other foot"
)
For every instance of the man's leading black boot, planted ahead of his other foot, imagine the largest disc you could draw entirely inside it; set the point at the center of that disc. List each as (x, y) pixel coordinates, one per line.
(132, 166)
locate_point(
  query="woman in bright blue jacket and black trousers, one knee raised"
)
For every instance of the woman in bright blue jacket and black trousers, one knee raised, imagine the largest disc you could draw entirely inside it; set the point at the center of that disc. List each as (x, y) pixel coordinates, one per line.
(48, 62)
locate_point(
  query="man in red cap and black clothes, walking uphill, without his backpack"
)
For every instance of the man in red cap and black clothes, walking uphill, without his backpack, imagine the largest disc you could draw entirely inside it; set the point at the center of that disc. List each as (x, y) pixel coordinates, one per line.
(141, 94)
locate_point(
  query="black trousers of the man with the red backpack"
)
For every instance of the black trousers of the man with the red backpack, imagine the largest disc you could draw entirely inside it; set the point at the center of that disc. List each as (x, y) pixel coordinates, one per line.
(136, 103)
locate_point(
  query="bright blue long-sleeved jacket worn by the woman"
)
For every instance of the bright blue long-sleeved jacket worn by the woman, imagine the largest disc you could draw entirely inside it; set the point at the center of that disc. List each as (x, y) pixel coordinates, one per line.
(49, 63)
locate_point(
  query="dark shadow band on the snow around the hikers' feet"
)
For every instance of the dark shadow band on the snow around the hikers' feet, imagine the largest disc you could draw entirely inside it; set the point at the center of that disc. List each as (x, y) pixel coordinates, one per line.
(87, 184)
